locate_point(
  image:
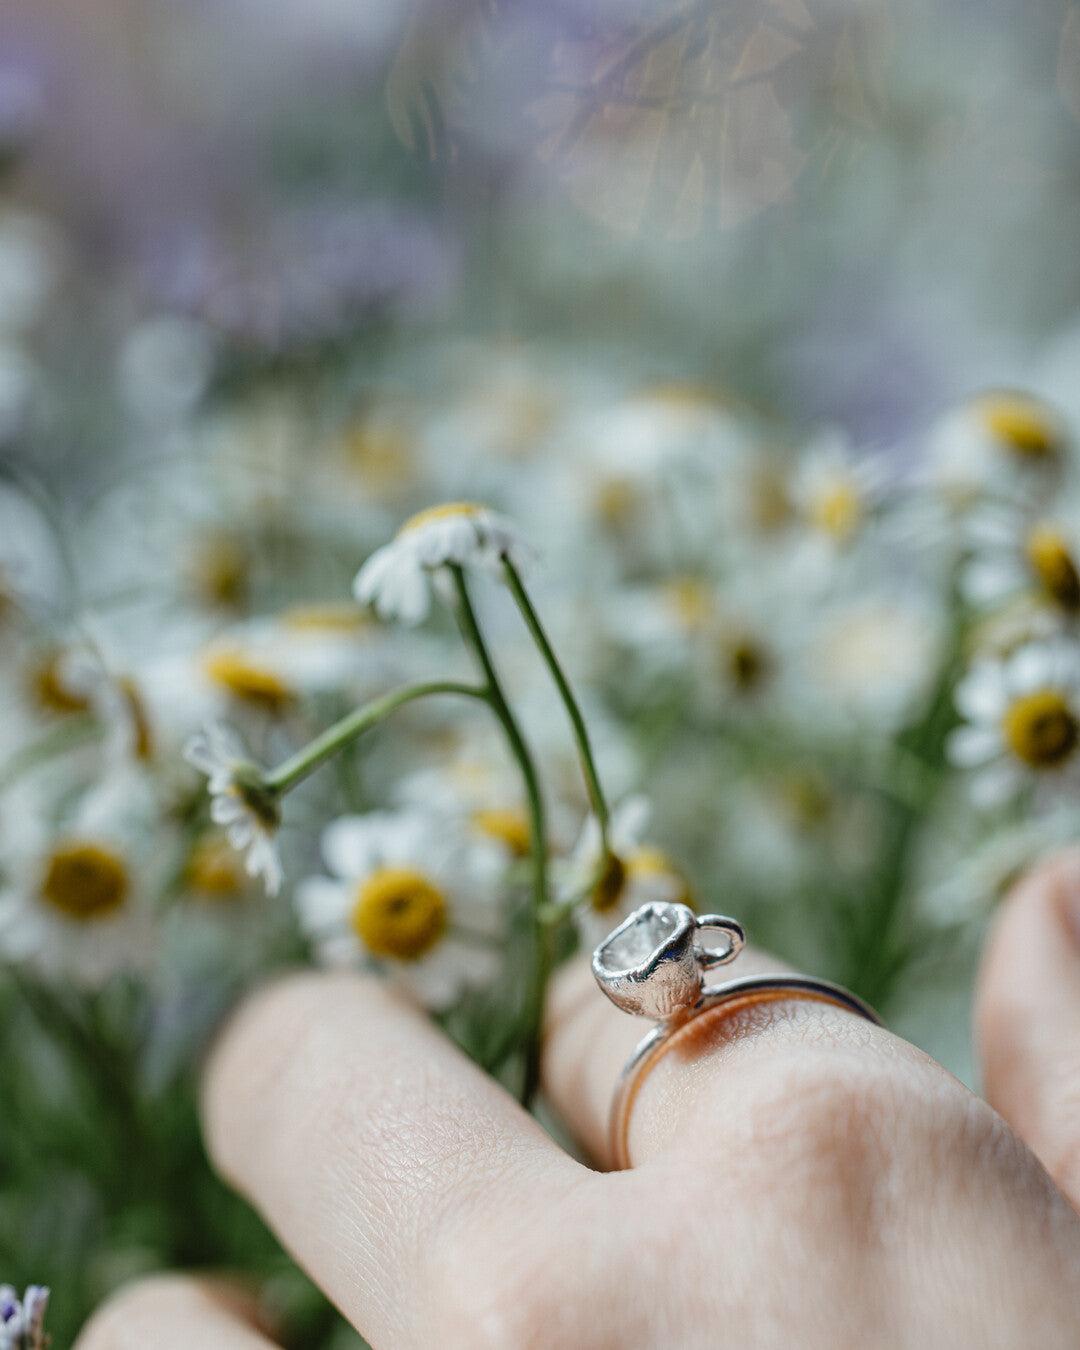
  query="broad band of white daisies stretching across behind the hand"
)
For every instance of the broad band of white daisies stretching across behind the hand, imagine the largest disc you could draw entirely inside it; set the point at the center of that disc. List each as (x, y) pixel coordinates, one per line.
(754, 631)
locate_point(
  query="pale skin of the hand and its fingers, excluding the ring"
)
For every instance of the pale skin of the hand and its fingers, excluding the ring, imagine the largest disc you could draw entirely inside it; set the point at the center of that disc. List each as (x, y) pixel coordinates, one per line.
(800, 1177)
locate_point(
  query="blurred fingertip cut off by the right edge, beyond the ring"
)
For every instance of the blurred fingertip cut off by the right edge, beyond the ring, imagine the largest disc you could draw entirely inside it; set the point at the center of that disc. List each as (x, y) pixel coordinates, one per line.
(1028, 1016)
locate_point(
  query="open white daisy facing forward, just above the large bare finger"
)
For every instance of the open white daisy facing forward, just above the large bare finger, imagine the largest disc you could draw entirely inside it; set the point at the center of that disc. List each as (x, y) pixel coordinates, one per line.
(410, 896)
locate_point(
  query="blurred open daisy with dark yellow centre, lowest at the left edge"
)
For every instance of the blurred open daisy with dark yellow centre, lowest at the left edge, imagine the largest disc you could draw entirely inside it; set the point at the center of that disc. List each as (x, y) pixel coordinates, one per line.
(78, 901)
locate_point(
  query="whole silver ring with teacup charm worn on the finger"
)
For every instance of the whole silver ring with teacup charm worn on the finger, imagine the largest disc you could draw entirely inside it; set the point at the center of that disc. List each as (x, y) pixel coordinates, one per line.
(654, 966)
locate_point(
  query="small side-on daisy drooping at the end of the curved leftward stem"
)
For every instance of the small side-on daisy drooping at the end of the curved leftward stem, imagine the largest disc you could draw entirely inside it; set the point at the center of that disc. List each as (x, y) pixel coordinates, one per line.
(240, 801)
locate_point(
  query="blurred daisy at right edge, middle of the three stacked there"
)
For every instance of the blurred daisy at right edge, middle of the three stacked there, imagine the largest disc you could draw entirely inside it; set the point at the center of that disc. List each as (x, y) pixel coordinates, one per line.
(1017, 553)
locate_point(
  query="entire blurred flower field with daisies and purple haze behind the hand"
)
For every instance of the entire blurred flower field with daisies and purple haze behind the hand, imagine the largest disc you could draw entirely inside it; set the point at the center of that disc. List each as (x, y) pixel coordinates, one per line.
(466, 472)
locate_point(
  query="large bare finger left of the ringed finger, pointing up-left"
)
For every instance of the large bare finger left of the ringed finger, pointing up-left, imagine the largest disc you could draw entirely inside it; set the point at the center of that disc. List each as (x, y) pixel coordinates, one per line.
(375, 1148)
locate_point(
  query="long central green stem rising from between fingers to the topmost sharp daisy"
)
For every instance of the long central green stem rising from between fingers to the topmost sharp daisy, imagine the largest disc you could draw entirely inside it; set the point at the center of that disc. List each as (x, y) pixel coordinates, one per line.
(538, 831)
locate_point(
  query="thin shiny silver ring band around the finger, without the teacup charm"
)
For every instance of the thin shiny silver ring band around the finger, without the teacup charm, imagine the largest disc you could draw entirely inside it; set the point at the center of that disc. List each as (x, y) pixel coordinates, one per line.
(736, 996)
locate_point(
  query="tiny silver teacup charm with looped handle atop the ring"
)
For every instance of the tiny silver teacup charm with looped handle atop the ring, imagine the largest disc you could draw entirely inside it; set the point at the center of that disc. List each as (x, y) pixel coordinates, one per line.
(653, 965)
